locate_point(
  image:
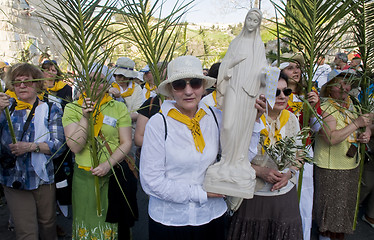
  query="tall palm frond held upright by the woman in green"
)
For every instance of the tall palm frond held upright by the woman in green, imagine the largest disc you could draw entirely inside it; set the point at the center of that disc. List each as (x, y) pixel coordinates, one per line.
(81, 26)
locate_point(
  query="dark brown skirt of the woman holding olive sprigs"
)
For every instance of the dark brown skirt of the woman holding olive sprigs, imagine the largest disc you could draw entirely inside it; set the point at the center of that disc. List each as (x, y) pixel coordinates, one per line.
(268, 218)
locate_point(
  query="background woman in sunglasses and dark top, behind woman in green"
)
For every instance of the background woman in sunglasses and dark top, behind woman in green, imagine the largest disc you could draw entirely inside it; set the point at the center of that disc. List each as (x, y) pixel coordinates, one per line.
(57, 90)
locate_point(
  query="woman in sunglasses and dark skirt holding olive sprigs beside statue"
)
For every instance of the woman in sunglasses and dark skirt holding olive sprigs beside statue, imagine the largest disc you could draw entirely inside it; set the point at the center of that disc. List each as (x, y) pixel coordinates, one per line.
(273, 213)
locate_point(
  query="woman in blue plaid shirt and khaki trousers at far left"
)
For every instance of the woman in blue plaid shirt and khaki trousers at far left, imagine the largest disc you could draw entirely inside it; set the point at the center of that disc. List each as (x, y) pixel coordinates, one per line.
(27, 175)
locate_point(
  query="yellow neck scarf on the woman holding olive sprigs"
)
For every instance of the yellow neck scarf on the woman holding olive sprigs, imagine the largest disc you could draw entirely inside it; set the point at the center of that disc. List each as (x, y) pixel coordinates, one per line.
(273, 128)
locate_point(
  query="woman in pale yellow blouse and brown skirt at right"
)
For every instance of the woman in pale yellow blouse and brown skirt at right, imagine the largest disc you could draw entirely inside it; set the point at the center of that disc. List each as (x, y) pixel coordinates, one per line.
(336, 158)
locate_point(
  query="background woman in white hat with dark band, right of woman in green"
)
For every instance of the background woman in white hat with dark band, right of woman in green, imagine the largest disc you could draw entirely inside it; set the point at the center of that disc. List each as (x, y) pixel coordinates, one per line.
(124, 89)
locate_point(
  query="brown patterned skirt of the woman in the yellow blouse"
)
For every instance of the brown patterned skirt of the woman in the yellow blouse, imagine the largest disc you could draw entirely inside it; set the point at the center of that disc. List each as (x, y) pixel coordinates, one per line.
(335, 193)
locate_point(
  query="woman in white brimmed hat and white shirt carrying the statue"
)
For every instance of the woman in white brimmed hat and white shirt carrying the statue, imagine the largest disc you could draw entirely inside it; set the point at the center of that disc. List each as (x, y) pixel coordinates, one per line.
(179, 144)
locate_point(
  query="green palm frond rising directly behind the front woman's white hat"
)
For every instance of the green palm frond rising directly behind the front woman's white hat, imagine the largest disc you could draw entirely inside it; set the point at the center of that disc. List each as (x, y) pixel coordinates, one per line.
(154, 34)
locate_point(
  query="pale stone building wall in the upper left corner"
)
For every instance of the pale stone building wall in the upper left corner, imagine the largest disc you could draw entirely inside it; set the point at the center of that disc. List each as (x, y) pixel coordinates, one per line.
(23, 37)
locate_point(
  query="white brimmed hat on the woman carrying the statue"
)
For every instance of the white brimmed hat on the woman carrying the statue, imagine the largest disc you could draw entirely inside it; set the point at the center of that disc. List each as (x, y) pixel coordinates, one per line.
(184, 67)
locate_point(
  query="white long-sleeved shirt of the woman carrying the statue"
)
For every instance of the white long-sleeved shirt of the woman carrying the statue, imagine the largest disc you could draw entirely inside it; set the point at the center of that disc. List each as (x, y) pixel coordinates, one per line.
(172, 171)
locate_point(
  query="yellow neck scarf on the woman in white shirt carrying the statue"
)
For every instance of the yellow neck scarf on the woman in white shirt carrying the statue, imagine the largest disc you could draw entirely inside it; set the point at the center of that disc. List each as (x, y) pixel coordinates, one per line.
(192, 124)
